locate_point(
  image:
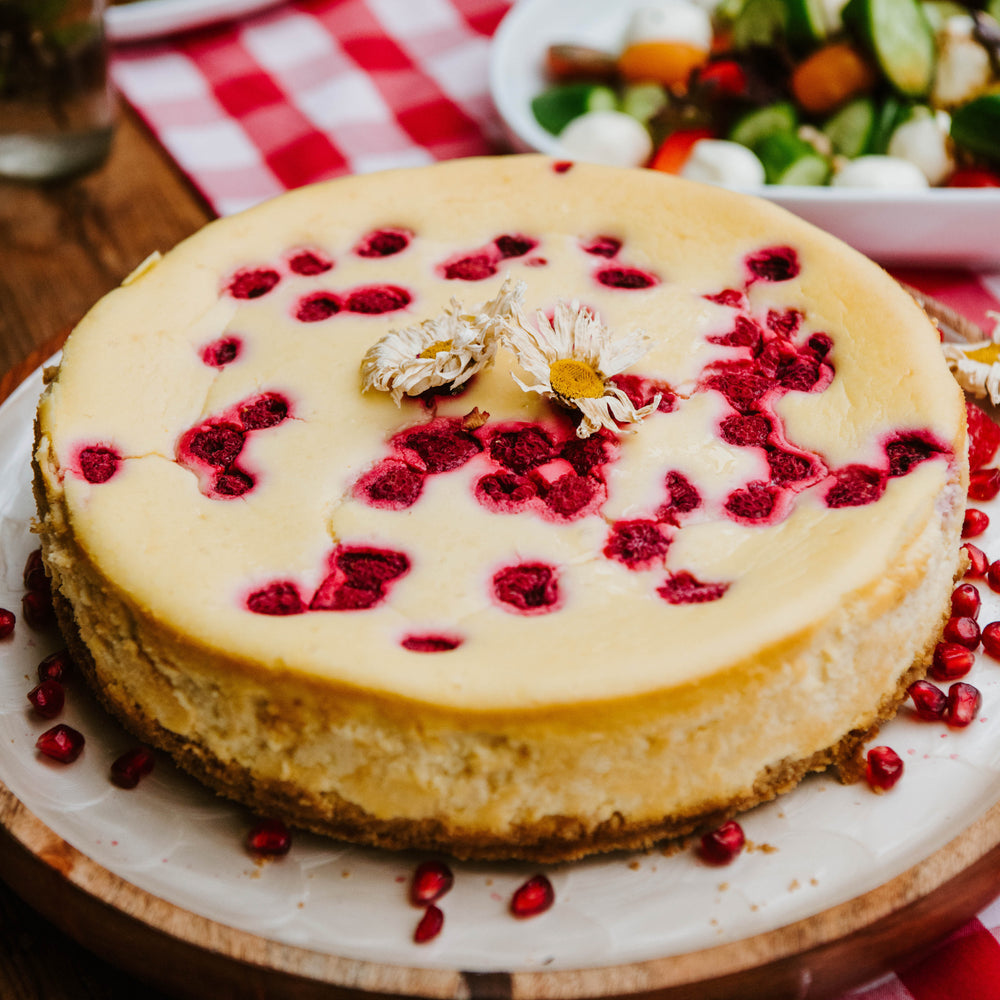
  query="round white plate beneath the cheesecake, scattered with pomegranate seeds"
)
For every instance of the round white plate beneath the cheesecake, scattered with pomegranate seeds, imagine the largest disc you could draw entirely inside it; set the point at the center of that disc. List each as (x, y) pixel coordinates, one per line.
(827, 843)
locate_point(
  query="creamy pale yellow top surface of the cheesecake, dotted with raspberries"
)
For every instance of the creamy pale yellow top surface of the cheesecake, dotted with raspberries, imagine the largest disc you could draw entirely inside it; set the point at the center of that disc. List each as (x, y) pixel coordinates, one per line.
(224, 467)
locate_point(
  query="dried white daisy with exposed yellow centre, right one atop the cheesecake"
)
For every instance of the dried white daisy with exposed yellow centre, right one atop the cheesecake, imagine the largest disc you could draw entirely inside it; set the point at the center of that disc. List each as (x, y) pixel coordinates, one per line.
(572, 358)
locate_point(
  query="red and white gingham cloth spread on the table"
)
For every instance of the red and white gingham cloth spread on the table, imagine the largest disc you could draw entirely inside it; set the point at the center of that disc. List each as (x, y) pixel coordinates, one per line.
(314, 89)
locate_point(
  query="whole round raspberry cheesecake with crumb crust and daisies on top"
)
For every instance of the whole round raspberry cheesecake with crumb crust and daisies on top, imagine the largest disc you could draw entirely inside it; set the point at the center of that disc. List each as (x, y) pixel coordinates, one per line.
(507, 507)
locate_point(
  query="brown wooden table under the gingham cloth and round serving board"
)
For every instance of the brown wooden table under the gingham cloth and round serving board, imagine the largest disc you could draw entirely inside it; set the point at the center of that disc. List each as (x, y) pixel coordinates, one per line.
(62, 246)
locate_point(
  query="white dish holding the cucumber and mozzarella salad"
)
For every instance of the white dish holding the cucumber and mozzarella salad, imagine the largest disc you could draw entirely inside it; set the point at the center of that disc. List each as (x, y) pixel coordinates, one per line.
(936, 227)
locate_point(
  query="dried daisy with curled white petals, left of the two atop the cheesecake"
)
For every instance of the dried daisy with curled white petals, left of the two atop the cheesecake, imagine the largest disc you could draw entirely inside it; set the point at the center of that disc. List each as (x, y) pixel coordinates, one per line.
(446, 350)
